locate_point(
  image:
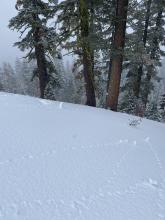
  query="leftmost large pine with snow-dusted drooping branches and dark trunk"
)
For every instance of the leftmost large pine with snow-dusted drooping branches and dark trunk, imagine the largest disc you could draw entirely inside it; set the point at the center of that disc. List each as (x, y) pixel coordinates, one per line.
(32, 22)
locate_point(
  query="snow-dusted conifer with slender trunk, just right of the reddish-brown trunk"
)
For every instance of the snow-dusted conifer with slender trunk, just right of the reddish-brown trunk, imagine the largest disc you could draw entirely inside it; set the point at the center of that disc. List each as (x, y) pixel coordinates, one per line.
(139, 17)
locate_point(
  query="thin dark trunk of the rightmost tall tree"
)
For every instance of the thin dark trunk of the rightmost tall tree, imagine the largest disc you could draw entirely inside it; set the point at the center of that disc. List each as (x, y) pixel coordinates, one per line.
(155, 44)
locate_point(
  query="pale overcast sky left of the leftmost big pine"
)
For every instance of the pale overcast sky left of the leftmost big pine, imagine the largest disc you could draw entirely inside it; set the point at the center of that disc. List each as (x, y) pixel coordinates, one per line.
(7, 37)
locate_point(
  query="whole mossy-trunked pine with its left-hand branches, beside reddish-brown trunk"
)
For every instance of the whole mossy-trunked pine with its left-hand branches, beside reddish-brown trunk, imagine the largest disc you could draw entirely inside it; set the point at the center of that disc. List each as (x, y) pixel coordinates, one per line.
(76, 19)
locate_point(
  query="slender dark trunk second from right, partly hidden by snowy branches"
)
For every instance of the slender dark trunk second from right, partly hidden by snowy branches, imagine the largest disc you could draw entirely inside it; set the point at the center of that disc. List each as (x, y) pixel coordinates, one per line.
(145, 35)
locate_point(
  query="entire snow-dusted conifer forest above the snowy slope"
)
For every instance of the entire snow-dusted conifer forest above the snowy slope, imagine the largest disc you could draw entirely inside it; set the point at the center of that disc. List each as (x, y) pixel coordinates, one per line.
(118, 49)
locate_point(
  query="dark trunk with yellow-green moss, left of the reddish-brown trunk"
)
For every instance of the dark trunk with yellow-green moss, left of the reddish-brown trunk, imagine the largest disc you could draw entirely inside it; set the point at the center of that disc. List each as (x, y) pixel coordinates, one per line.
(87, 54)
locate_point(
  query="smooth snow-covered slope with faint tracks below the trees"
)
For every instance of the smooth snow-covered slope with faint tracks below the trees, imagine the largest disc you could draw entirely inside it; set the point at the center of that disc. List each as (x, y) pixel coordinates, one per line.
(61, 161)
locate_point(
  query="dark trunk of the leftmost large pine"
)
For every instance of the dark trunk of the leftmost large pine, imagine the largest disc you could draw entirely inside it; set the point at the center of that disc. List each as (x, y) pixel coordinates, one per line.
(40, 55)
